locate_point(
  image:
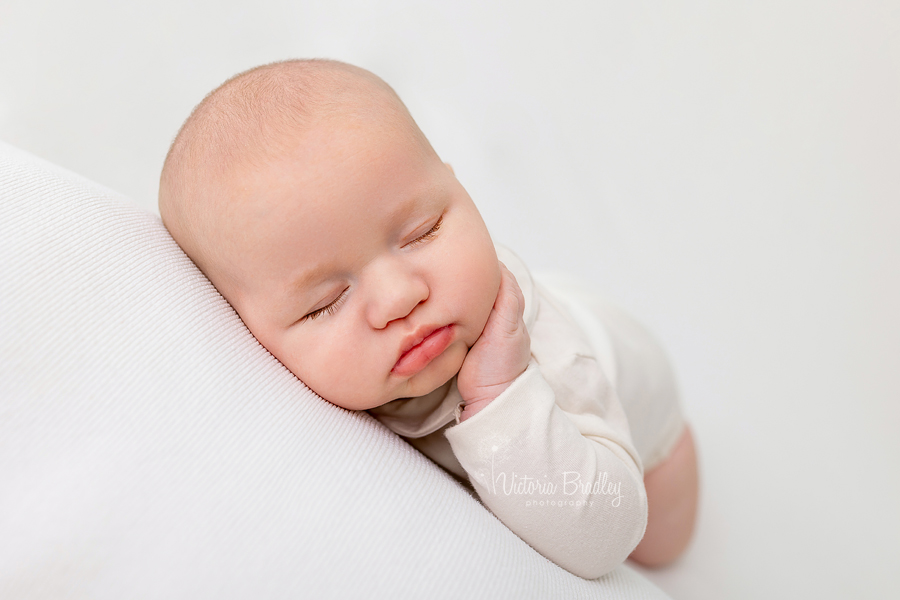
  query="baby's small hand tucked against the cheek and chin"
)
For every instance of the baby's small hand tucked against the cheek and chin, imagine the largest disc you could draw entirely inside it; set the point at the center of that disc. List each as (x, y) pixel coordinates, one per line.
(500, 354)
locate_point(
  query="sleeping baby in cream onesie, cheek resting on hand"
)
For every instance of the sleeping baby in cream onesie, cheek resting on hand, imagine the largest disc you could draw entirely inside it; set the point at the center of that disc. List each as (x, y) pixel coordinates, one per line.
(309, 197)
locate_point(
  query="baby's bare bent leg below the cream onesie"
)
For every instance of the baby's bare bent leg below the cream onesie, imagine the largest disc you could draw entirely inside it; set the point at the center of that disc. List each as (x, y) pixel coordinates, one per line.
(672, 490)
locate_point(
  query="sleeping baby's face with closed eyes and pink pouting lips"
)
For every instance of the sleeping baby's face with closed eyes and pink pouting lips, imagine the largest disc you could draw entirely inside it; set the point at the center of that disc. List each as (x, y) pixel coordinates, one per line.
(365, 267)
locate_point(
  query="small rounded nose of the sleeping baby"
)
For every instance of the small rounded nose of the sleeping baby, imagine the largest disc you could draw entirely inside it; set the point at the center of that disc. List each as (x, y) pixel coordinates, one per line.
(396, 290)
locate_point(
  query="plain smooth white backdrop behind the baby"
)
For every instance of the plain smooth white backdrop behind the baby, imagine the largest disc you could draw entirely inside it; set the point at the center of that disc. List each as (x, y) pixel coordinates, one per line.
(729, 172)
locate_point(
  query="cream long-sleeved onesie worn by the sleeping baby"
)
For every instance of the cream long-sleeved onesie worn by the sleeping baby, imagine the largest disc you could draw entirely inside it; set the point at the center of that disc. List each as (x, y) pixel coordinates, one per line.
(553, 456)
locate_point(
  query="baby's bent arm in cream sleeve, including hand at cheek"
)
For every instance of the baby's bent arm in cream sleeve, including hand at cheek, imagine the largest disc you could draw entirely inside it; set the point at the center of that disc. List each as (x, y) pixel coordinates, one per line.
(567, 483)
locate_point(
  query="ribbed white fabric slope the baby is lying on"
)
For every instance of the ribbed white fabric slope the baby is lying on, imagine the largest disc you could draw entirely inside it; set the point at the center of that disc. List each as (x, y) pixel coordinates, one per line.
(150, 448)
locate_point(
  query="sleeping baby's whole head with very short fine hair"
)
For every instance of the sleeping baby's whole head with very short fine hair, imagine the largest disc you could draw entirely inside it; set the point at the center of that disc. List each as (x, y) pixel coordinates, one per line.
(307, 194)
